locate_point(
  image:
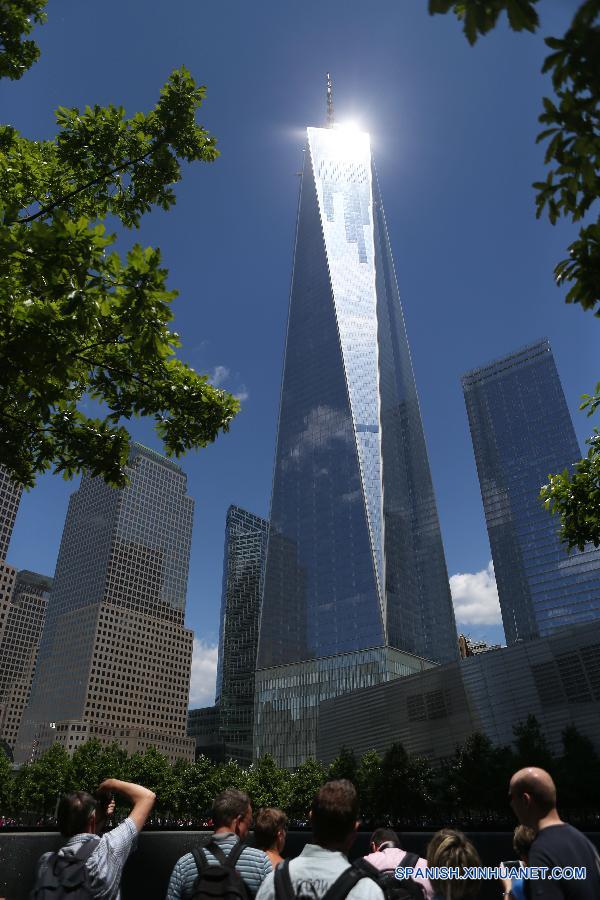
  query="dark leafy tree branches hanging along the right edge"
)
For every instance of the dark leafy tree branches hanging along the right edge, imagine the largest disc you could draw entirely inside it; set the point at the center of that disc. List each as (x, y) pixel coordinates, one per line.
(571, 191)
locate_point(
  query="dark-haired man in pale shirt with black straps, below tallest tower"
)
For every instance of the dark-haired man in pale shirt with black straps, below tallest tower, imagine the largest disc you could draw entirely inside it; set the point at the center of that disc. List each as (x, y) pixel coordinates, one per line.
(324, 861)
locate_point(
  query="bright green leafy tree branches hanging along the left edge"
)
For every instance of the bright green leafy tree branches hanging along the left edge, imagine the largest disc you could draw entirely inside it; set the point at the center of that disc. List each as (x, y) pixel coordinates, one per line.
(79, 322)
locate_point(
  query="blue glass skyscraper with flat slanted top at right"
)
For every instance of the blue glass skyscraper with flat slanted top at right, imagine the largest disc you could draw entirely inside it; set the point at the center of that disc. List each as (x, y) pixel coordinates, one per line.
(522, 432)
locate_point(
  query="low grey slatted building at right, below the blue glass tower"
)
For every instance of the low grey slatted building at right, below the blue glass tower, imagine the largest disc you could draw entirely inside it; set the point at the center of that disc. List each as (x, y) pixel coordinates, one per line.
(556, 679)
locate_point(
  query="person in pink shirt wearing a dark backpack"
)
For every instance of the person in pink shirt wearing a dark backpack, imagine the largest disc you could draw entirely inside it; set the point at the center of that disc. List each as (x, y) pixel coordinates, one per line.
(387, 856)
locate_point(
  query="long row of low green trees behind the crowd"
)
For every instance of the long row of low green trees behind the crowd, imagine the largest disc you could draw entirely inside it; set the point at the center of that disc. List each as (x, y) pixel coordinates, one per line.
(397, 787)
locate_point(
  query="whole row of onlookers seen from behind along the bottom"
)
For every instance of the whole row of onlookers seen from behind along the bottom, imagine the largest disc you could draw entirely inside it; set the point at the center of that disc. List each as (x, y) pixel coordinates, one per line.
(230, 868)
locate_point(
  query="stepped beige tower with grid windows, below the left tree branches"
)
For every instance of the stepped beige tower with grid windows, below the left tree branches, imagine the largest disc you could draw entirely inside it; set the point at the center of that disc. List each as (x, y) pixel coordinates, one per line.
(115, 658)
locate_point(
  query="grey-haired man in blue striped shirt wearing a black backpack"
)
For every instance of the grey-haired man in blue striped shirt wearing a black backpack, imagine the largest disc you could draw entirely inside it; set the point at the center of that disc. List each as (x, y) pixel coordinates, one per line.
(226, 868)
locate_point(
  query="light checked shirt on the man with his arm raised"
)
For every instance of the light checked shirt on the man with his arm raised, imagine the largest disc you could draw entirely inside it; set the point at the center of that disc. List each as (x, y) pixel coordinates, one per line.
(105, 865)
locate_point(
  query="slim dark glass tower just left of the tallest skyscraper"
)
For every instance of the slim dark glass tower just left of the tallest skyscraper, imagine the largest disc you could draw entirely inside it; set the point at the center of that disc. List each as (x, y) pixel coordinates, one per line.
(243, 570)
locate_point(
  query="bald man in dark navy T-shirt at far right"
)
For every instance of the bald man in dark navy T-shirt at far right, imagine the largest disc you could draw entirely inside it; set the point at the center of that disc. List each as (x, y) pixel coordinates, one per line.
(532, 796)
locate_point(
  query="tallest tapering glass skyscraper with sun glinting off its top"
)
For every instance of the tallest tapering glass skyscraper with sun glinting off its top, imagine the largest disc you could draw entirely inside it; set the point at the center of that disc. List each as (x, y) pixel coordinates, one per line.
(356, 587)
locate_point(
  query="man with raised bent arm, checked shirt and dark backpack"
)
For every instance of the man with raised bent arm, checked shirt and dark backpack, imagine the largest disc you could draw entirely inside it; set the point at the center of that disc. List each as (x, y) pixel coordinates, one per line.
(94, 863)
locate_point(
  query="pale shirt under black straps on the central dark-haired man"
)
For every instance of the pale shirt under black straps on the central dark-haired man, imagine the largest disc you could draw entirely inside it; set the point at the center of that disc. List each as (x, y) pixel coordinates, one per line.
(313, 873)
